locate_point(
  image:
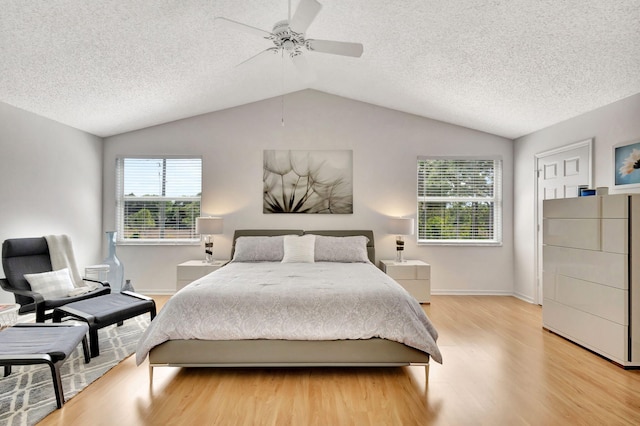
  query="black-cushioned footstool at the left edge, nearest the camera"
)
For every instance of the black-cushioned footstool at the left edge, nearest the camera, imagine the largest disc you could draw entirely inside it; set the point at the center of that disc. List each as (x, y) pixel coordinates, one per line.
(51, 344)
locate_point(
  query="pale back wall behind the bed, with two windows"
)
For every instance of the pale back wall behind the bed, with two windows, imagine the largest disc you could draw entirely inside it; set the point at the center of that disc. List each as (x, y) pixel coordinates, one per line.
(385, 146)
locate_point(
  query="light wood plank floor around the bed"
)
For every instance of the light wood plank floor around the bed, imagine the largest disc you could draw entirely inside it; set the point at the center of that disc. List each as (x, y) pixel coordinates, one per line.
(500, 368)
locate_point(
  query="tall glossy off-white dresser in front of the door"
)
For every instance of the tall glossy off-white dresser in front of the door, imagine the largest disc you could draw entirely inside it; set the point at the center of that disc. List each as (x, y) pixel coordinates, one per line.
(591, 293)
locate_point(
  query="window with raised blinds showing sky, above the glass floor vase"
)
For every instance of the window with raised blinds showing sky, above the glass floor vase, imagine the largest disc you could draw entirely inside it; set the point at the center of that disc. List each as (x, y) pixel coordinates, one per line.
(158, 199)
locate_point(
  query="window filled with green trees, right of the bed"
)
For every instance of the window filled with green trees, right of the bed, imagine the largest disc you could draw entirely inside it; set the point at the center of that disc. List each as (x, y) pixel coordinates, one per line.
(459, 201)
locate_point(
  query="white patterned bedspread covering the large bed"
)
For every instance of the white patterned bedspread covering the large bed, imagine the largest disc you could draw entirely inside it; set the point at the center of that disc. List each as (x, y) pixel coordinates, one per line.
(293, 301)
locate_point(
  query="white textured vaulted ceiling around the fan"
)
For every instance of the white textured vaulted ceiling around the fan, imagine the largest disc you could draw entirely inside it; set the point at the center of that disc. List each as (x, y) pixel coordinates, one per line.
(507, 67)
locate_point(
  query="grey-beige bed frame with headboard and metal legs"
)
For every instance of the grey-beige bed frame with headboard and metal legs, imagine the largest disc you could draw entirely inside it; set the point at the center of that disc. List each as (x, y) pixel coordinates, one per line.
(374, 352)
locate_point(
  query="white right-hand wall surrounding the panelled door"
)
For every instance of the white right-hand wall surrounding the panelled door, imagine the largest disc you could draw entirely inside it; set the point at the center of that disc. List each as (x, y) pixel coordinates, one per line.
(608, 126)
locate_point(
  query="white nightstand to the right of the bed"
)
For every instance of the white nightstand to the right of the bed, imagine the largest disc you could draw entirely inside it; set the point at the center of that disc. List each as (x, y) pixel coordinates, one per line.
(413, 275)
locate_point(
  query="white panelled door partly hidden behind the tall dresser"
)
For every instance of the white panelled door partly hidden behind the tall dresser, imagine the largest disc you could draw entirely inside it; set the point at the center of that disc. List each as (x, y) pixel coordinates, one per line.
(560, 173)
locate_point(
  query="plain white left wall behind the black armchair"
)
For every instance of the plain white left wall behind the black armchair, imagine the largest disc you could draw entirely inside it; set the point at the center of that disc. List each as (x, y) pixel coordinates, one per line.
(50, 183)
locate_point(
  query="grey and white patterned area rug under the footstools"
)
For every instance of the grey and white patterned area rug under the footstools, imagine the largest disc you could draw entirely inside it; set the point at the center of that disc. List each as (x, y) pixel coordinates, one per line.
(27, 395)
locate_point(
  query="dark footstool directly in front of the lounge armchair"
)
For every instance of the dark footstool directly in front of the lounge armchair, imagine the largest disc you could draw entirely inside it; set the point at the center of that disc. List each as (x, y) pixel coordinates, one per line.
(101, 311)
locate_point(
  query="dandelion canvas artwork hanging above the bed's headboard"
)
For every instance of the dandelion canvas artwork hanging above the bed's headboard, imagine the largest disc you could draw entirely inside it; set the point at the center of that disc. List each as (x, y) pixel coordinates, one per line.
(299, 181)
